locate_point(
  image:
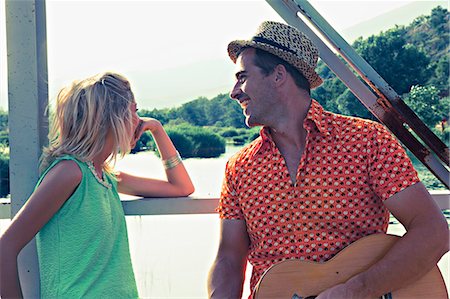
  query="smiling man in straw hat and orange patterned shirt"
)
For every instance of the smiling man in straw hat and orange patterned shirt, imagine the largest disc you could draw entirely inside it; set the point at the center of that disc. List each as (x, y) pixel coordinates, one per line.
(314, 181)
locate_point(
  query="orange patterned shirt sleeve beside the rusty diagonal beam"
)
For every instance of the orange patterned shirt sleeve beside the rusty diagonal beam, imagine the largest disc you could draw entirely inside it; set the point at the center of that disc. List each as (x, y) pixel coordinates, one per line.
(390, 168)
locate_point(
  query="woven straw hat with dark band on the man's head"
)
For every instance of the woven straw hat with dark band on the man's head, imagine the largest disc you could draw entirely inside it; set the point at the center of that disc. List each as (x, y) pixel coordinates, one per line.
(286, 42)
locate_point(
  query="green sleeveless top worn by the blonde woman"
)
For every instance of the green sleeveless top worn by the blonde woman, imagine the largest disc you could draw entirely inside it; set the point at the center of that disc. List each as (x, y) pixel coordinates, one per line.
(83, 250)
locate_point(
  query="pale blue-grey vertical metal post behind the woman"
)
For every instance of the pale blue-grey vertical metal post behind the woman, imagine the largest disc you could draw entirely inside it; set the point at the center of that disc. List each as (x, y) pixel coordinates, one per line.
(28, 126)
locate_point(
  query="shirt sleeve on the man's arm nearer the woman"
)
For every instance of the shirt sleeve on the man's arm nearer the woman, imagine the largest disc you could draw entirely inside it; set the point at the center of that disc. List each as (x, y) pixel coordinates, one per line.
(229, 207)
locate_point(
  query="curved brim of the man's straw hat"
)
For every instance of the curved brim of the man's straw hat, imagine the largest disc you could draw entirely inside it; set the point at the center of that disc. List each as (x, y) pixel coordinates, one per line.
(235, 48)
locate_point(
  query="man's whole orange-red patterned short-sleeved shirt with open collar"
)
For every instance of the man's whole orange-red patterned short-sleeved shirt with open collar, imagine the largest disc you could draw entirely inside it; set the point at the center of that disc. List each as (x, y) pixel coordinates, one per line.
(348, 168)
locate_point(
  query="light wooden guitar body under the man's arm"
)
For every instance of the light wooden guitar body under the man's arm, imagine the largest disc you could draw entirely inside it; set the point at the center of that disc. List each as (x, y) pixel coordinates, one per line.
(303, 279)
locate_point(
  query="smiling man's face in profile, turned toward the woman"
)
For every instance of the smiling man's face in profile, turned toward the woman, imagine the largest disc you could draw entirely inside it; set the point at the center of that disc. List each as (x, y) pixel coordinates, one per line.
(253, 90)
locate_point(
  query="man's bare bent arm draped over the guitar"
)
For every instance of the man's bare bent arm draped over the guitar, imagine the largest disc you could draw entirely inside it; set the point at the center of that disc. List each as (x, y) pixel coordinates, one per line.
(415, 254)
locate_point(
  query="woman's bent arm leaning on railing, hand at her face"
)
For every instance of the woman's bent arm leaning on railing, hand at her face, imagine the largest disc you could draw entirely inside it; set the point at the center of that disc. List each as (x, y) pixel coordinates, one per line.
(178, 181)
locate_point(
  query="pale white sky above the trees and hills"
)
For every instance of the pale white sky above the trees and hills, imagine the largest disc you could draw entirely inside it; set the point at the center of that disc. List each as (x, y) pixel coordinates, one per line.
(175, 51)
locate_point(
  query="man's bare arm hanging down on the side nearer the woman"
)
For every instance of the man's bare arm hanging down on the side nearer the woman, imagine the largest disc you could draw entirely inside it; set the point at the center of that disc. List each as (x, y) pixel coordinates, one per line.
(226, 277)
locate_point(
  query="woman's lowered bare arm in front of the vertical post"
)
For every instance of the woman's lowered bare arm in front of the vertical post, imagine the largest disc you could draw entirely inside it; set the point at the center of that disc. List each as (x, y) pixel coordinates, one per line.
(57, 186)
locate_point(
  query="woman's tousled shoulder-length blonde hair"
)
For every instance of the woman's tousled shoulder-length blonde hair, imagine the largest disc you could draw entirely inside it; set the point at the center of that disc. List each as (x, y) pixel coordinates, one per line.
(85, 113)
